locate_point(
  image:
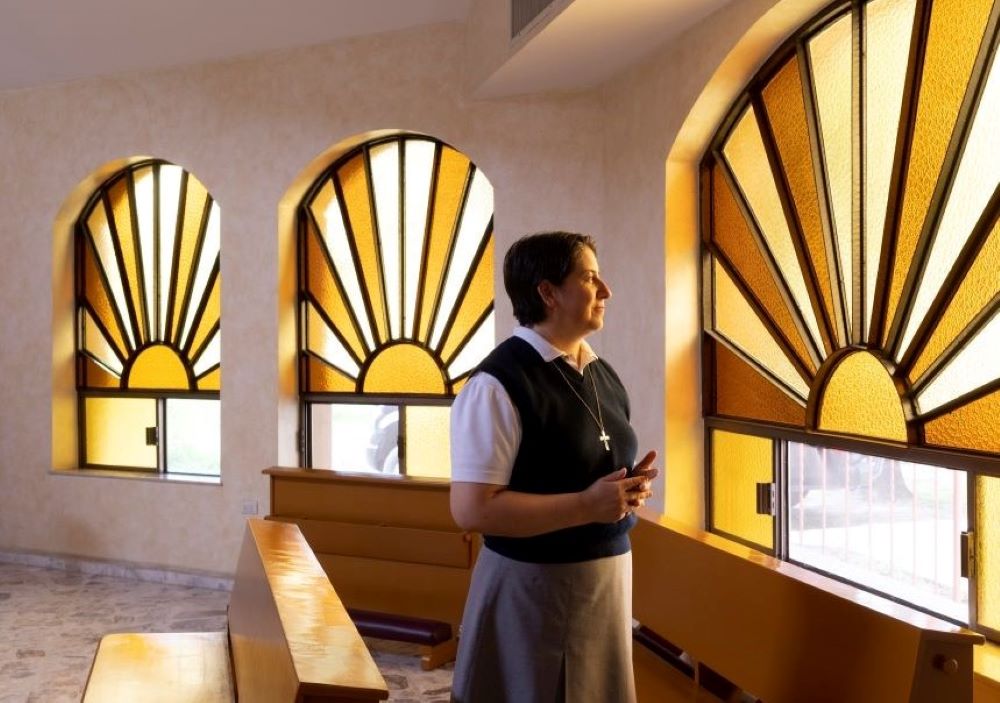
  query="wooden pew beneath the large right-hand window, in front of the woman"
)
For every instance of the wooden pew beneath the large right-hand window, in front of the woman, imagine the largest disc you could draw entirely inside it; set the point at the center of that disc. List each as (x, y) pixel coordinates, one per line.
(785, 634)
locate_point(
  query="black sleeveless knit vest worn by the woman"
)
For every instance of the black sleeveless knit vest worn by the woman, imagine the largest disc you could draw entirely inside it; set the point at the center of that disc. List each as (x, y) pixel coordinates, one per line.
(560, 451)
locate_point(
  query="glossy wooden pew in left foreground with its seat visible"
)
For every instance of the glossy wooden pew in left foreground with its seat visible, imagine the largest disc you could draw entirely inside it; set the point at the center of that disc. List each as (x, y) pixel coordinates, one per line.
(289, 639)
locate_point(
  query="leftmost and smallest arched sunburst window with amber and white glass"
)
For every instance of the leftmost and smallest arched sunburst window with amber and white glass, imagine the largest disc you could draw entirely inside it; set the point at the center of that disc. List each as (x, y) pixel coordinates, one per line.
(148, 323)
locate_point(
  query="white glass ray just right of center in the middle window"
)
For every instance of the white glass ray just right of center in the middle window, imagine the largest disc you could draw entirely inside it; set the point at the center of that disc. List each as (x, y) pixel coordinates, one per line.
(419, 155)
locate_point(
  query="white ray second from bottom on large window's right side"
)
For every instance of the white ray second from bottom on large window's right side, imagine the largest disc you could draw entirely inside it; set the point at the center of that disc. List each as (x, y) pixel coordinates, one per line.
(976, 365)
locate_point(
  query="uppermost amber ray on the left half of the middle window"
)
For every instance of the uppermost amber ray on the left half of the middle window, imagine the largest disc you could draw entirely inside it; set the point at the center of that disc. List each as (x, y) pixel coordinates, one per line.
(354, 182)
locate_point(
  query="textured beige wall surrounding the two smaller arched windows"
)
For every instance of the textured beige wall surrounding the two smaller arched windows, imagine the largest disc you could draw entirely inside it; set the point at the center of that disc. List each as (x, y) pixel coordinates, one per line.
(246, 128)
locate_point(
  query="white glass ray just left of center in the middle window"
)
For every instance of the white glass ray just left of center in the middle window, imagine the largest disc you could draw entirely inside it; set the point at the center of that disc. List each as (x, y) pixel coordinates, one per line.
(385, 180)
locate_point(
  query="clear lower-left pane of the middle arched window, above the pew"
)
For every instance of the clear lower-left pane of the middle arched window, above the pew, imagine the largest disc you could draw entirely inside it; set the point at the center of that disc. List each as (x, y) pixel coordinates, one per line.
(356, 438)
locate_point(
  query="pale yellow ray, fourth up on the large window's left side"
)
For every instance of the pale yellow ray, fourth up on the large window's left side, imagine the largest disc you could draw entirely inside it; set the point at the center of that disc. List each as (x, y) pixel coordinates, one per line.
(745, 153)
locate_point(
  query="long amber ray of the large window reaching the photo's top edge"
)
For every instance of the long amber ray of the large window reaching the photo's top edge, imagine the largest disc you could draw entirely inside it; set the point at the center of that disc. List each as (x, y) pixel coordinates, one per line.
(947, 66)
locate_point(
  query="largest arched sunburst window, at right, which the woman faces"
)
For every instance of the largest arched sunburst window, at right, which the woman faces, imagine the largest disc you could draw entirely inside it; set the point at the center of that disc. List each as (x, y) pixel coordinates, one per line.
(851, 227)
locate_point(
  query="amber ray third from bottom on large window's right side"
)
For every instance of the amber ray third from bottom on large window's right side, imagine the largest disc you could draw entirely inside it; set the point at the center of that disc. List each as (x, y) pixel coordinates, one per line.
(976, 289)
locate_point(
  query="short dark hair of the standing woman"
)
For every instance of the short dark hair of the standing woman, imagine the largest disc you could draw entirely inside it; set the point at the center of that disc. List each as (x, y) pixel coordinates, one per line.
(545, 256)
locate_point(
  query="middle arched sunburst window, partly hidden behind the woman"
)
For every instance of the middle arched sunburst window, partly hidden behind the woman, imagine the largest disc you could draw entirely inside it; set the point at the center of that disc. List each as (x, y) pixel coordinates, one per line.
(395, 302)
